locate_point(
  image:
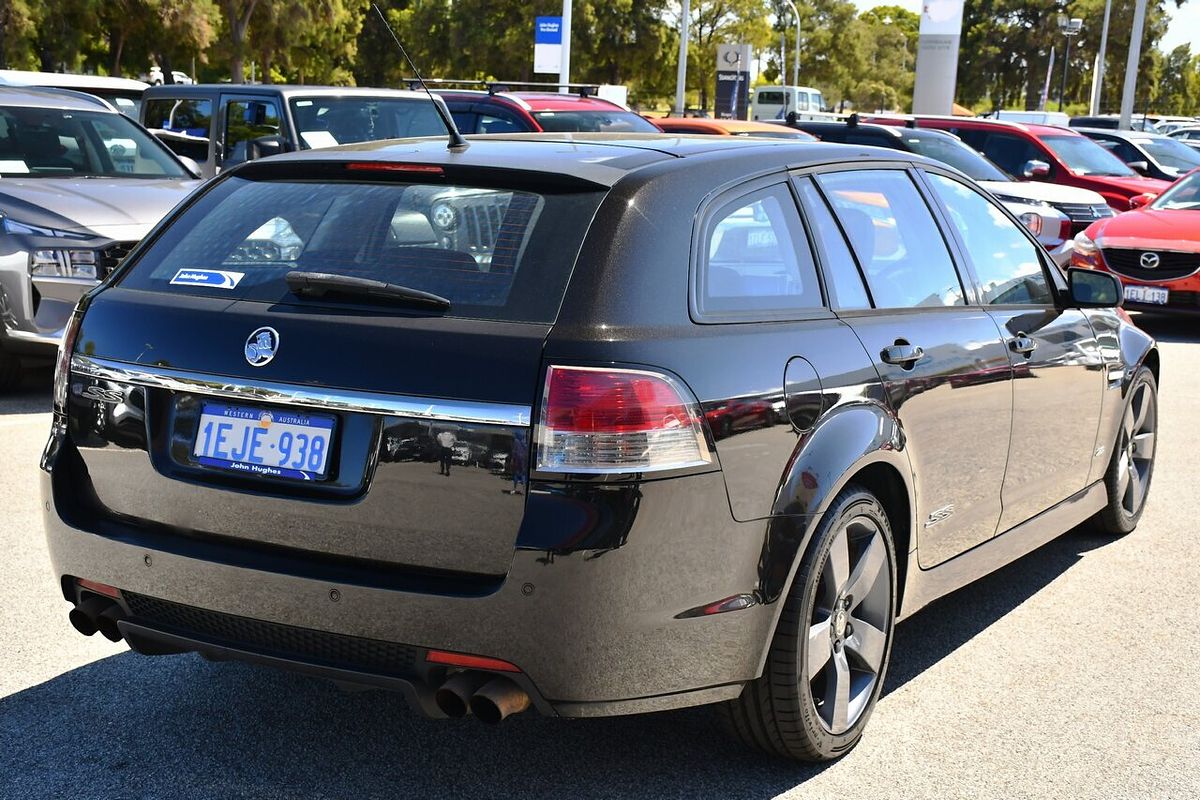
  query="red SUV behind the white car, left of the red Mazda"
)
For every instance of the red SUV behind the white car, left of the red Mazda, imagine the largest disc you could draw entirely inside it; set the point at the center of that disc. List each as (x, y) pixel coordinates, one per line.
(1045, 153)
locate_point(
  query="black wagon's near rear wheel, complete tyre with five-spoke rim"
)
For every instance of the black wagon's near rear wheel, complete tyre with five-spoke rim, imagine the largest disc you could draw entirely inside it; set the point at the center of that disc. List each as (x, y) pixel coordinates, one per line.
(795, 709)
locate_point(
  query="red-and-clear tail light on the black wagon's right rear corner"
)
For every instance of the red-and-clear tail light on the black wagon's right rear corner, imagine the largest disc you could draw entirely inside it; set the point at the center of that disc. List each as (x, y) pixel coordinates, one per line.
(603, 420)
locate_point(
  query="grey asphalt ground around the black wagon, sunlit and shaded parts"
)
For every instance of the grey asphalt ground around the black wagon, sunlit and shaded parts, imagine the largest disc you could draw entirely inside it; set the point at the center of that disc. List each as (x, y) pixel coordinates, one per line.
(1071, 673)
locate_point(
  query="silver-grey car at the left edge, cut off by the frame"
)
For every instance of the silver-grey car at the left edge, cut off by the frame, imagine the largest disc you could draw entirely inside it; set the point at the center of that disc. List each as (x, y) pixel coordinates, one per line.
(80, 185)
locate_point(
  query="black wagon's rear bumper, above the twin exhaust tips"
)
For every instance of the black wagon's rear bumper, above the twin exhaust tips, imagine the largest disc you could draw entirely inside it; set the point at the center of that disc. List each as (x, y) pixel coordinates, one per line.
(595, 631)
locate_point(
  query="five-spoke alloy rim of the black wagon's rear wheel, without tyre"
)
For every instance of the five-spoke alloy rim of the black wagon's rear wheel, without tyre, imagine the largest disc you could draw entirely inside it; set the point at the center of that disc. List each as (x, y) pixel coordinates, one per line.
(849, 631)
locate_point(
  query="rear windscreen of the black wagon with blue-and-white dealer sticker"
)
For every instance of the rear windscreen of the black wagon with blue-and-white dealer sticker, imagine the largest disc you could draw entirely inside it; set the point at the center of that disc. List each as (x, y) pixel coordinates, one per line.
(495, 254)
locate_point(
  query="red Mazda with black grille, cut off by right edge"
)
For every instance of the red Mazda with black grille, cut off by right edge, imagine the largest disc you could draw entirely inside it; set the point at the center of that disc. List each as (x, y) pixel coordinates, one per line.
(1156, 249)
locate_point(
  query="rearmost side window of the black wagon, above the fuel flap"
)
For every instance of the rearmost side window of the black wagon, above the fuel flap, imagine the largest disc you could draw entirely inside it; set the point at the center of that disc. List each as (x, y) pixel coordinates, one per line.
(757, 258)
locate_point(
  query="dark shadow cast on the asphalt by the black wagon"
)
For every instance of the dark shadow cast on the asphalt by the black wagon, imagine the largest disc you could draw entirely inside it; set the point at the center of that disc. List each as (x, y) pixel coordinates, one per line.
(181, 727)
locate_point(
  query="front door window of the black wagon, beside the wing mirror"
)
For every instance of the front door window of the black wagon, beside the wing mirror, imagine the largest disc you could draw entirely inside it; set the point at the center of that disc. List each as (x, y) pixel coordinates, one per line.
(1005, 261)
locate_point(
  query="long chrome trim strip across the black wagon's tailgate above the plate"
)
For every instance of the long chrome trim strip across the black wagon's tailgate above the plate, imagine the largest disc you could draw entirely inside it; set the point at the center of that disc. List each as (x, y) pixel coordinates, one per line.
(337, 400)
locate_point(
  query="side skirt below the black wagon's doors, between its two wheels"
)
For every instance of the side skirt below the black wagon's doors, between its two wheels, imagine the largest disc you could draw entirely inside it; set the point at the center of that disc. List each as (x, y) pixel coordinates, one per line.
(923, 587)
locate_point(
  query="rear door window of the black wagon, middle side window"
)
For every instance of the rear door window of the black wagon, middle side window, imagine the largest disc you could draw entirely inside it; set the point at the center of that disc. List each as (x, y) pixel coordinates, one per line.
(896, 238)
